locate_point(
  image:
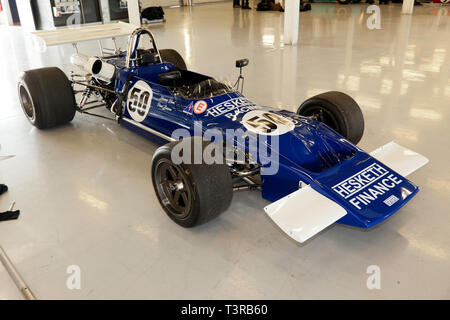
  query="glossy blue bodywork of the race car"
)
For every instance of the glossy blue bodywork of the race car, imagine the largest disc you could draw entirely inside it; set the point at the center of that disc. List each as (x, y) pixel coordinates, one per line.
(311, 152)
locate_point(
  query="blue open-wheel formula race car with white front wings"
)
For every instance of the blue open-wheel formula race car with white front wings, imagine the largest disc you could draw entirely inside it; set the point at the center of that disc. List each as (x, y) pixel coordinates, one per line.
(310, 169)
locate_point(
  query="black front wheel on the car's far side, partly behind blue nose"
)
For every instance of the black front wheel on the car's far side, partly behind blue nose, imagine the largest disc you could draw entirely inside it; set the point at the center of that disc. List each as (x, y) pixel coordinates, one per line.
(338, 111)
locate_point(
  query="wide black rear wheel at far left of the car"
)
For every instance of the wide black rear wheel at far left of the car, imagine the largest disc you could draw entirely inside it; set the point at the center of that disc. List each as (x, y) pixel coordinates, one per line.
(46, 97)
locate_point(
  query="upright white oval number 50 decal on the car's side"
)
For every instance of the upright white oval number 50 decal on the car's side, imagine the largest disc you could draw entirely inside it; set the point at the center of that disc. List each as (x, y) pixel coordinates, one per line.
(139, 100)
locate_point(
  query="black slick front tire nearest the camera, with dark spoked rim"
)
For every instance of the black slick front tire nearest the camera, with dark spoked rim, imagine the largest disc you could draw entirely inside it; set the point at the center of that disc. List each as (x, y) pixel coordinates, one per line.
(190, 194)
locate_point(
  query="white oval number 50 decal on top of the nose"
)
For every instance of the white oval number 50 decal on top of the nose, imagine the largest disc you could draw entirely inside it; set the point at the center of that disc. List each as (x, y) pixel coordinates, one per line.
(267, 123)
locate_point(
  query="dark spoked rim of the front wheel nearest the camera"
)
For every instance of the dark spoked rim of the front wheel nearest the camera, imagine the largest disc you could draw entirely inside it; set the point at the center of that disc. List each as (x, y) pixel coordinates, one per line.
(173, 189)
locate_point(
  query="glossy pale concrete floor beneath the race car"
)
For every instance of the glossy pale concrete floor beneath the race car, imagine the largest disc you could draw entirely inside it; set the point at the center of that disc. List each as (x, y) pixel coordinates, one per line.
(86, 198)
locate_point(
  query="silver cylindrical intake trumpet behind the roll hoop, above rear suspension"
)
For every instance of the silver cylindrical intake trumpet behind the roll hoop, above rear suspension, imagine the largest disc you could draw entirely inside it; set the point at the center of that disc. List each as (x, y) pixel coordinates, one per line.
(95, 66)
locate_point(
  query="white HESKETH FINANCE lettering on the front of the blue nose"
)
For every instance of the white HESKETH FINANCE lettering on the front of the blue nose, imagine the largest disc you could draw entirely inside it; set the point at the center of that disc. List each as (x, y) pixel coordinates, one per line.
(367, 185)
